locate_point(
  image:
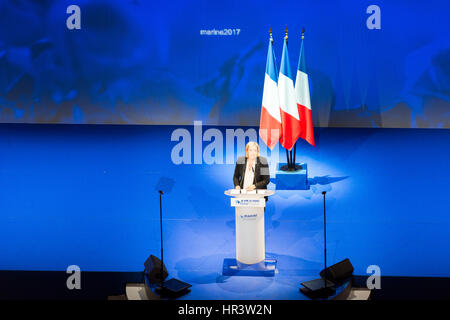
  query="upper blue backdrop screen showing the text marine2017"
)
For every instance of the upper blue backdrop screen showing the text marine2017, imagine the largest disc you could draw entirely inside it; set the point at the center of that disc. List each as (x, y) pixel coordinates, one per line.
(160, 62)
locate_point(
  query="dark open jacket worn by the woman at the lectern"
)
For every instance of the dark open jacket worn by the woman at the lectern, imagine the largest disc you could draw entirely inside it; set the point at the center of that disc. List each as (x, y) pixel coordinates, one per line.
(262, 174)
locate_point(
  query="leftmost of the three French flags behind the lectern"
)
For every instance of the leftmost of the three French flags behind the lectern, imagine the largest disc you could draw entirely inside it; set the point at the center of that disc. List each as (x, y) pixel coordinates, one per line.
(270, 122)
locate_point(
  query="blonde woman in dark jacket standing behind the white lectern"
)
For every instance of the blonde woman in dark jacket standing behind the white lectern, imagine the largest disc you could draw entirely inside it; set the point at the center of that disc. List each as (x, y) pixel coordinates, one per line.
(252, 171)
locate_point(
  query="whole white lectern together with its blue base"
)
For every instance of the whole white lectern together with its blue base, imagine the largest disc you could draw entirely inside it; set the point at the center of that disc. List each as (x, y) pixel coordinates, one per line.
(250, 240)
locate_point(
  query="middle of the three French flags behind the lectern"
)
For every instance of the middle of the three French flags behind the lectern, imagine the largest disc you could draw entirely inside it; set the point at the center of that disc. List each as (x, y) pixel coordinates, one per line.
(290, 120)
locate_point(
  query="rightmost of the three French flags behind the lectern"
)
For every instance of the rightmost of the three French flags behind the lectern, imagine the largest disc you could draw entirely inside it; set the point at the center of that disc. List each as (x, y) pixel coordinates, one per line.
(303, 100)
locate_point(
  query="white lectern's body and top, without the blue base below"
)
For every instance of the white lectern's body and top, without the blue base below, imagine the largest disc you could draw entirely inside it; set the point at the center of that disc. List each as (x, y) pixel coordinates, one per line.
(249, 215)
